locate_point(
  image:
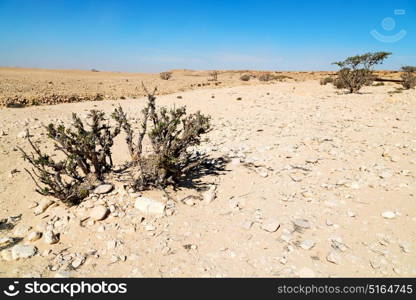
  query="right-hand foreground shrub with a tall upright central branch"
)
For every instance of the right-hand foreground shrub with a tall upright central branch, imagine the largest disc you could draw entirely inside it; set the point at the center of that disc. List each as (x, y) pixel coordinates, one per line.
(171, 133)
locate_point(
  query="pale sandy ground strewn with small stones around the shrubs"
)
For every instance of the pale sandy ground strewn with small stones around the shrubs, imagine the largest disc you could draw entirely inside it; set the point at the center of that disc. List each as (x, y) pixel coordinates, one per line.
(321, 165)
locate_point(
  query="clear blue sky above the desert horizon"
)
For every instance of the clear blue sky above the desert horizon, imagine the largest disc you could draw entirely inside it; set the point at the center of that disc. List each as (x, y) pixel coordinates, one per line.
(151, 36)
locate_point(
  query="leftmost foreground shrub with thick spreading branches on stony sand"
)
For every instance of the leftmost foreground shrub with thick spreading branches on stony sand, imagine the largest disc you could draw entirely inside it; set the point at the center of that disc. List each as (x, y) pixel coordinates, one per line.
(87, 157)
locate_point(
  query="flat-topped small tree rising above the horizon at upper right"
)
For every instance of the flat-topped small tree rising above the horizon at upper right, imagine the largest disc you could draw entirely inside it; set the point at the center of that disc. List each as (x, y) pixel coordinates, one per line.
(357, 71)
